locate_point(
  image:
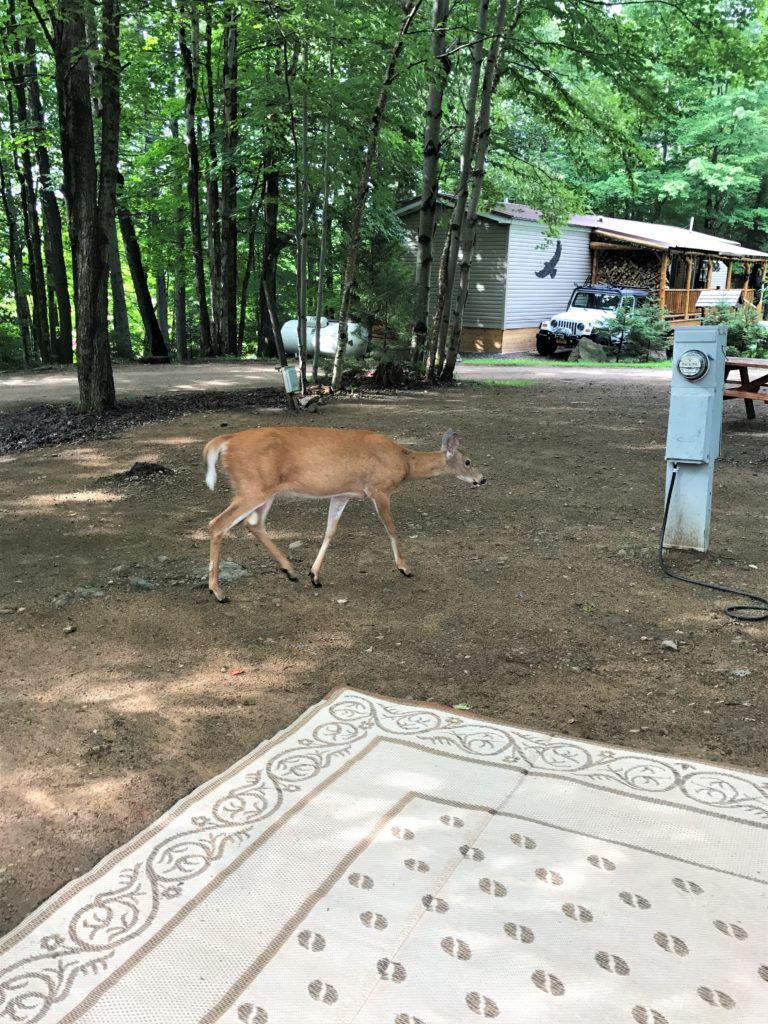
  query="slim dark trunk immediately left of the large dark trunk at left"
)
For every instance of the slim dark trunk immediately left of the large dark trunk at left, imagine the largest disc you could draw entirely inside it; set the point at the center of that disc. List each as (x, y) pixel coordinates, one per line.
(62, 337)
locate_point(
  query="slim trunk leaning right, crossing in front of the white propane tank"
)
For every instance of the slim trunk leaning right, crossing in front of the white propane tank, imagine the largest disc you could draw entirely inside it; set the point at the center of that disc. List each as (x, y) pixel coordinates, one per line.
(360, 205)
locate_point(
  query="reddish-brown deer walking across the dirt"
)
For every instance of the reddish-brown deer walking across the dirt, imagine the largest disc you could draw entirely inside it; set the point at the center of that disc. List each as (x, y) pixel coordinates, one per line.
(318, 462)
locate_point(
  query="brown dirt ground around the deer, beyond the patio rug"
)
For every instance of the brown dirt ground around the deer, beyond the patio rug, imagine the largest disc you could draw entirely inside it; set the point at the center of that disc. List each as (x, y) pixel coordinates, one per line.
(537, 600)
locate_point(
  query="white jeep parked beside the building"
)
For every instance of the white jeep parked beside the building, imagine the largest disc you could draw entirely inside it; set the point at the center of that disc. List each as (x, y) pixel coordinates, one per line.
(590, 312)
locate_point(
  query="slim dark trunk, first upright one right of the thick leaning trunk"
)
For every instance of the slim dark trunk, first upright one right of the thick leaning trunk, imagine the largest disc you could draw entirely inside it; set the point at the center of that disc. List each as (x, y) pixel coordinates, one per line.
(190, 64)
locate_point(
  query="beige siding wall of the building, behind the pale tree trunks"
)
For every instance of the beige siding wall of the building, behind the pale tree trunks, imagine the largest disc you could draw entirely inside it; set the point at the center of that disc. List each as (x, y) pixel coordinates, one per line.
(488, 278)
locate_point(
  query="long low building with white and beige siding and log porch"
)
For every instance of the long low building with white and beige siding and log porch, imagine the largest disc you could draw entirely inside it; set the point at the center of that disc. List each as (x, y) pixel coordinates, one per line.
(522, 276)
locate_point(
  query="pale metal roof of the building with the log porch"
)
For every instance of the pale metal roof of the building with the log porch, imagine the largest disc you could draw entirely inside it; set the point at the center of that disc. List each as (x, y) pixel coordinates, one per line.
(655, 236)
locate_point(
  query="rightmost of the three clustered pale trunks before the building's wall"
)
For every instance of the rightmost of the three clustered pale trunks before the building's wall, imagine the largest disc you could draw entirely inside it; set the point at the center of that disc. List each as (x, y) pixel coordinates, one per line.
(494, 69)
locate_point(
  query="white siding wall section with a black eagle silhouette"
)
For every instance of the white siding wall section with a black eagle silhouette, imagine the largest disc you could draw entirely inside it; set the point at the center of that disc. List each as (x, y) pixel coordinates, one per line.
(531, 300)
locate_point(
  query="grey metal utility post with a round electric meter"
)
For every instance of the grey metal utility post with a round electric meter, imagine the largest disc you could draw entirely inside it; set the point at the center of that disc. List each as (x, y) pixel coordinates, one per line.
(694, 434)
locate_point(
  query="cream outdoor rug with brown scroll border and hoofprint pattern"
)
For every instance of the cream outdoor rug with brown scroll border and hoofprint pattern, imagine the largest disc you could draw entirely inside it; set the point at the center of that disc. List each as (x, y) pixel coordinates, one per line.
(381, 863)
